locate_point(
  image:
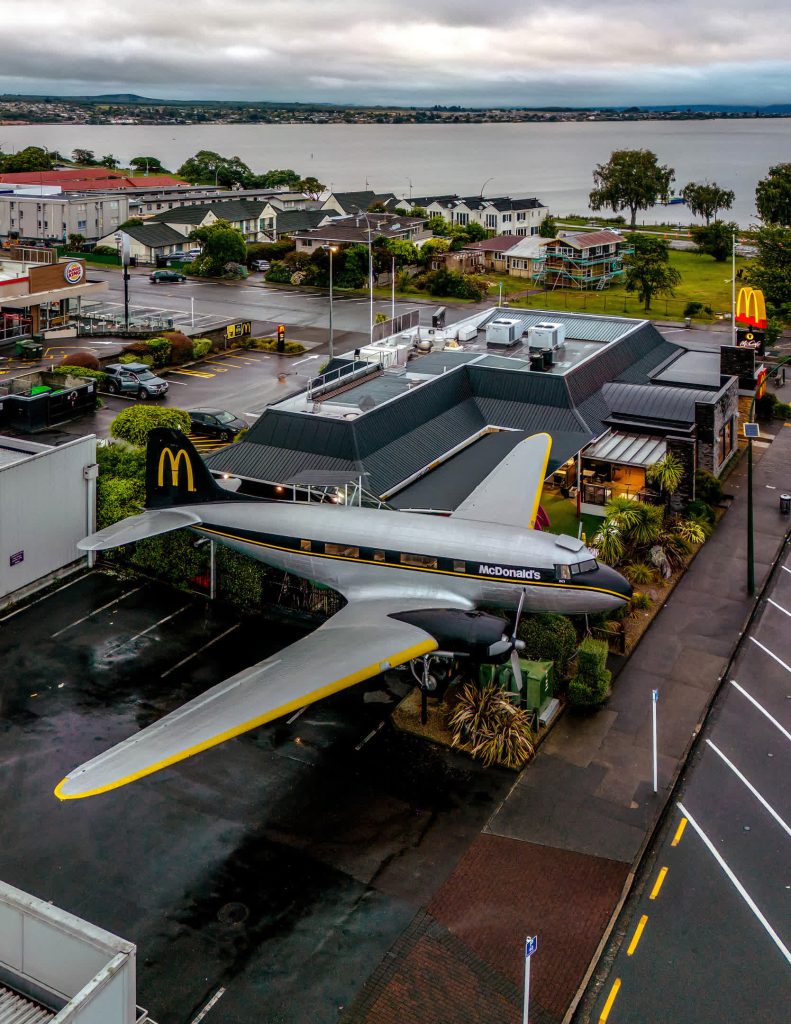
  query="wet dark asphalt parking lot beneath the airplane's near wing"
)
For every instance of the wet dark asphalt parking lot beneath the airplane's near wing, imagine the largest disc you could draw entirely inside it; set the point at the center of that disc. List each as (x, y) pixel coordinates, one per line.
(280, 867)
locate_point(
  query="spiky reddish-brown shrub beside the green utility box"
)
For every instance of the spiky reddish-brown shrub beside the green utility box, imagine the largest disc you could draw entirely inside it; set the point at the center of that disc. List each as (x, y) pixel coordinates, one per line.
(491, 728)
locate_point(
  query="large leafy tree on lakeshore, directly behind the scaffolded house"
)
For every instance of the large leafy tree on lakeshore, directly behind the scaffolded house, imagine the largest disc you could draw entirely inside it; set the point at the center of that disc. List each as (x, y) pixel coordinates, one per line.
(632, 180)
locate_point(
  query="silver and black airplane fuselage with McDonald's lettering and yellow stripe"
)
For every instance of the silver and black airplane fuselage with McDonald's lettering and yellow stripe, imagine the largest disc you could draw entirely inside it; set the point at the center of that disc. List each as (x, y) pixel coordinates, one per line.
(367, 553)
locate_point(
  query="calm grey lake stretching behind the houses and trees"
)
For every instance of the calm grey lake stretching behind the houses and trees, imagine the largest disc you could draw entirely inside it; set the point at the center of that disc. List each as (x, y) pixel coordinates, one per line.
(553, 162)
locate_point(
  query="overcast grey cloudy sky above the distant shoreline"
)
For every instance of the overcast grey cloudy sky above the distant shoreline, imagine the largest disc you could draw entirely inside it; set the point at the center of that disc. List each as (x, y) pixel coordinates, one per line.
(514, 53)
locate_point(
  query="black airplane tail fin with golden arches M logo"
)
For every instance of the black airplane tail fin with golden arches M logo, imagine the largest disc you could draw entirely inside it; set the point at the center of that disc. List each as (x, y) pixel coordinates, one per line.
(176, 475)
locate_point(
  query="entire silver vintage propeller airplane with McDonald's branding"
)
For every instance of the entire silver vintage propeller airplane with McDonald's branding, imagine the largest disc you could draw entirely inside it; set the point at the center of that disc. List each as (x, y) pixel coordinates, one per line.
(415, 584)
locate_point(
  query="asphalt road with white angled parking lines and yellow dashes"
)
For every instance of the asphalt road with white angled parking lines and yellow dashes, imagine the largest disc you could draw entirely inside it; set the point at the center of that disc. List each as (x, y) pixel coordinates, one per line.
(707, 935)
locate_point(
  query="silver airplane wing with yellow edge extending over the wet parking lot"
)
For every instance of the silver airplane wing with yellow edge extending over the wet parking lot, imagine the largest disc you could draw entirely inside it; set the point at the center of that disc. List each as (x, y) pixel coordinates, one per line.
(359, 643)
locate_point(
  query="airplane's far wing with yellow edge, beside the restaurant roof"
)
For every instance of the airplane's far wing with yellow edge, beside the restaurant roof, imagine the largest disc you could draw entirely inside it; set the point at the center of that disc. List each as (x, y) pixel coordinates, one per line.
(511, 494)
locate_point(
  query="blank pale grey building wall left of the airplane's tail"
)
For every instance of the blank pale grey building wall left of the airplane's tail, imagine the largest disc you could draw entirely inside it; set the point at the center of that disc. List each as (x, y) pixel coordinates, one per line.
(45, 511)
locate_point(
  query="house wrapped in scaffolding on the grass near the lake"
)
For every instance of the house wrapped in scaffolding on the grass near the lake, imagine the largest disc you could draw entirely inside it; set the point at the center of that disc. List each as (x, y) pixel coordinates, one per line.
(582, 261)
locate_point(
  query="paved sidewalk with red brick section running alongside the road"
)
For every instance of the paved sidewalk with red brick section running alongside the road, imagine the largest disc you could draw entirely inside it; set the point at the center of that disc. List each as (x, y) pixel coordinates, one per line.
(555, 859)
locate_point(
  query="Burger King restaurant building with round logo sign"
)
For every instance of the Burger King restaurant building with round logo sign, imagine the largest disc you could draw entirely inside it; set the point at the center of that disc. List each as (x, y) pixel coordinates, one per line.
(41, 295)
